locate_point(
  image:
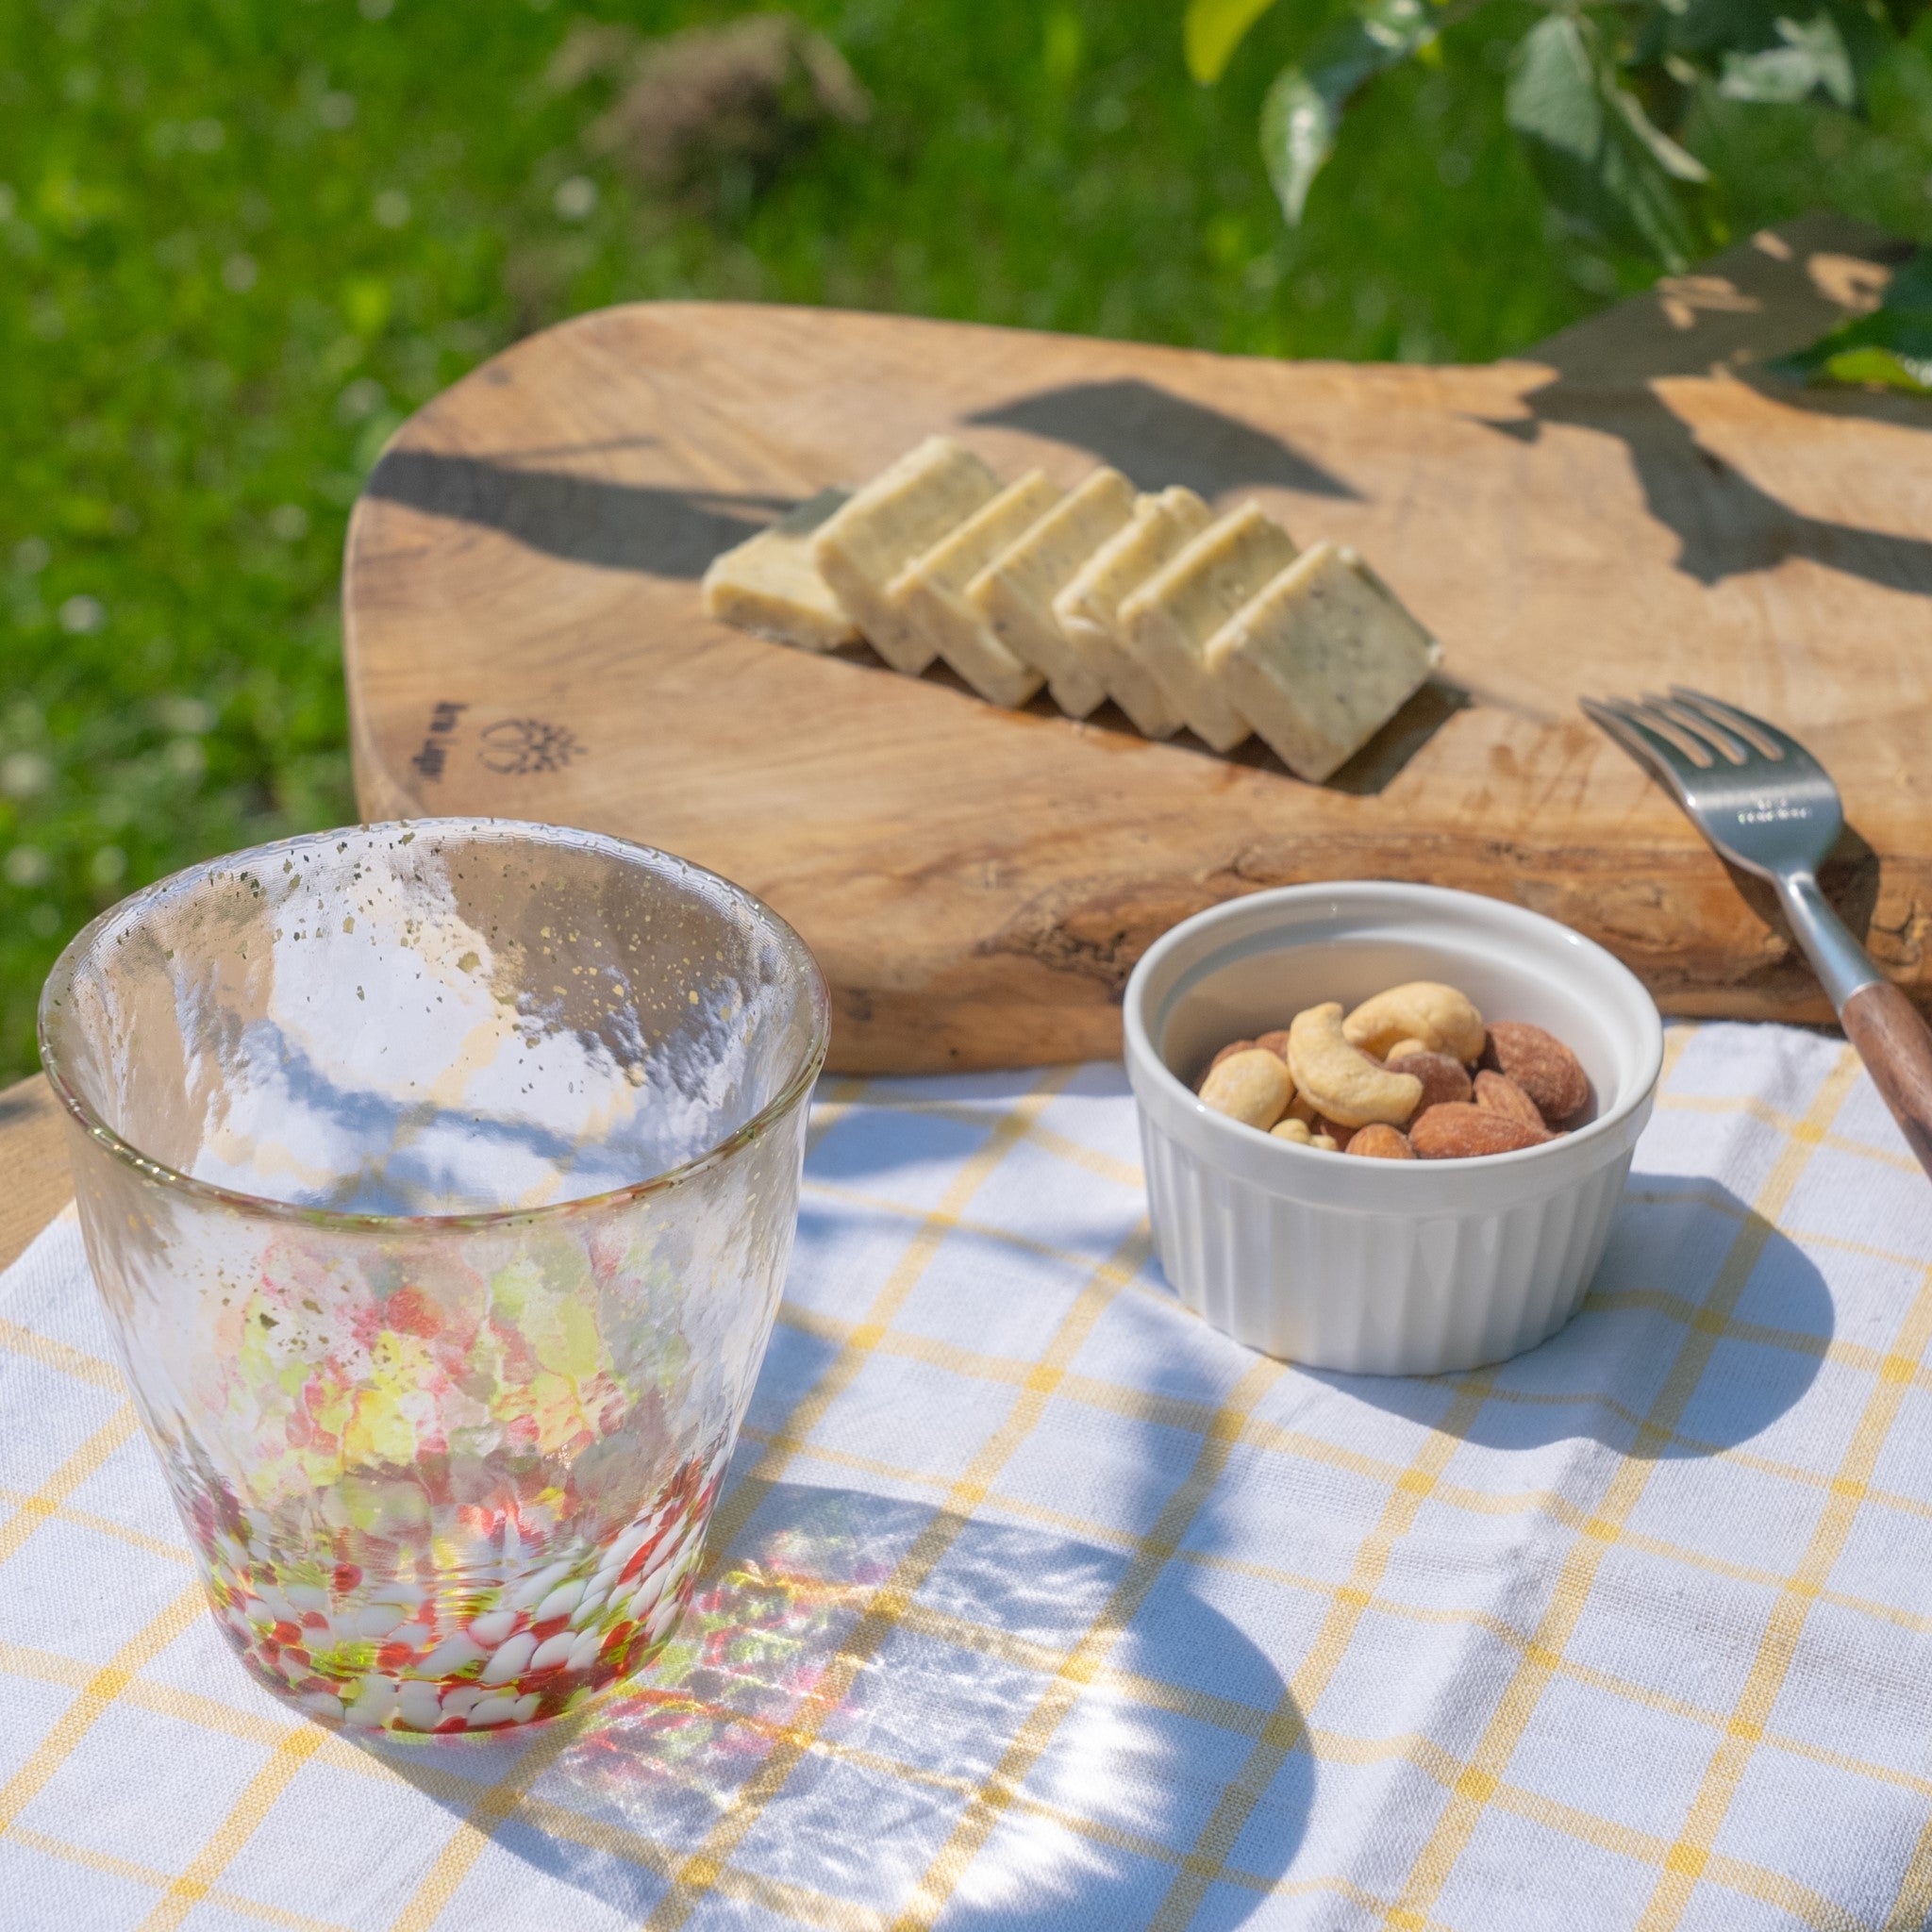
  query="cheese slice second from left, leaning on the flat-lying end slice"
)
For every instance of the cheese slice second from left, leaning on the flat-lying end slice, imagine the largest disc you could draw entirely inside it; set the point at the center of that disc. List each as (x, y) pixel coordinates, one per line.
(886, 526)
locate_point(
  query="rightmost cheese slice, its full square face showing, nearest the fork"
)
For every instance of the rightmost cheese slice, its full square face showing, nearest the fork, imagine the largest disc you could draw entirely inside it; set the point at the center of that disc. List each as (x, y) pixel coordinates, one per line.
(1321, 660)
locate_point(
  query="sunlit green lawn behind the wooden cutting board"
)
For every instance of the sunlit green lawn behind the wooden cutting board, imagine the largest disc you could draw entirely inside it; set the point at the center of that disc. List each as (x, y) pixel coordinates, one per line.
(242, 239)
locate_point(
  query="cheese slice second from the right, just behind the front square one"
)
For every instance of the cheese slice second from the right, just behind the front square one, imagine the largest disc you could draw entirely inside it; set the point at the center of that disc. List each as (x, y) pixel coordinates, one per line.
(1172, 617)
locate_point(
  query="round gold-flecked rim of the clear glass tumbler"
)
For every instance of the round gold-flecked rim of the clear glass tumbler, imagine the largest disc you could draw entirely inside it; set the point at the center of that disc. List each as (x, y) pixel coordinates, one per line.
(534, 832)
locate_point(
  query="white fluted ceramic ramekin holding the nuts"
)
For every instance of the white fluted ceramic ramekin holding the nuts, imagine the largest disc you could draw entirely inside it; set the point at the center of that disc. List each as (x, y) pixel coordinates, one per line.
(1386, 1268)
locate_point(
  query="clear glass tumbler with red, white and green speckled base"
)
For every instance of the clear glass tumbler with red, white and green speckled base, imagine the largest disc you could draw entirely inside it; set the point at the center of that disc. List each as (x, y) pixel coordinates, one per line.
(440, 1181)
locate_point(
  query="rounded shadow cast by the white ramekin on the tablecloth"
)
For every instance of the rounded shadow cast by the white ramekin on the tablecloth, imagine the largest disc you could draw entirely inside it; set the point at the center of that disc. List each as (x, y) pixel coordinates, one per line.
(1678, 1245)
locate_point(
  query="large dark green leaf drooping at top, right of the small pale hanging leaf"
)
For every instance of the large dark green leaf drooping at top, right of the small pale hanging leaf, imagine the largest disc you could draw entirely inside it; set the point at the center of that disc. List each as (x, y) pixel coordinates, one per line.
(1606, 167)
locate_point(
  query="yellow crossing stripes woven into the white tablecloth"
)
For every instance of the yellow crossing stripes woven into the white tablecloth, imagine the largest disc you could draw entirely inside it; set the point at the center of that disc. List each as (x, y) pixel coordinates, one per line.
(1473, 1784)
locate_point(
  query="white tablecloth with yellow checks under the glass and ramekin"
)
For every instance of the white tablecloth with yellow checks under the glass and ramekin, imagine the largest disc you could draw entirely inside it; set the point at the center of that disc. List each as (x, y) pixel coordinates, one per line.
(1037, 1603)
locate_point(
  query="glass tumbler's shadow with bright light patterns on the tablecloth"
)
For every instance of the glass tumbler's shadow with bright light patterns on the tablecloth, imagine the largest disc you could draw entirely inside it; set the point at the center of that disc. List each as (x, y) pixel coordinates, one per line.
(809, 1746)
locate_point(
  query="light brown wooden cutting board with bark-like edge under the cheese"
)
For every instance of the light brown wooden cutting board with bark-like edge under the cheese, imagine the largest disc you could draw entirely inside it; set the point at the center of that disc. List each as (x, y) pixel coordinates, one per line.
(1622, 509)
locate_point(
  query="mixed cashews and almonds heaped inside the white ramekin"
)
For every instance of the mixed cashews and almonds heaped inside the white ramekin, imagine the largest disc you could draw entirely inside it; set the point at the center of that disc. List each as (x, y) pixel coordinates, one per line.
(1413, 1073)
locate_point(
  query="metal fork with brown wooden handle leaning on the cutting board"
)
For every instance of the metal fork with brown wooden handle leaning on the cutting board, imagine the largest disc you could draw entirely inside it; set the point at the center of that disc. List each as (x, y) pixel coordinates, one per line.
(1767, 805)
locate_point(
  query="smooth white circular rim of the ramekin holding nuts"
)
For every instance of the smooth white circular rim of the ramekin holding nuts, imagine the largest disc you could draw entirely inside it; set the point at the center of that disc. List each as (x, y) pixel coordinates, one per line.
(1574, 1149)
